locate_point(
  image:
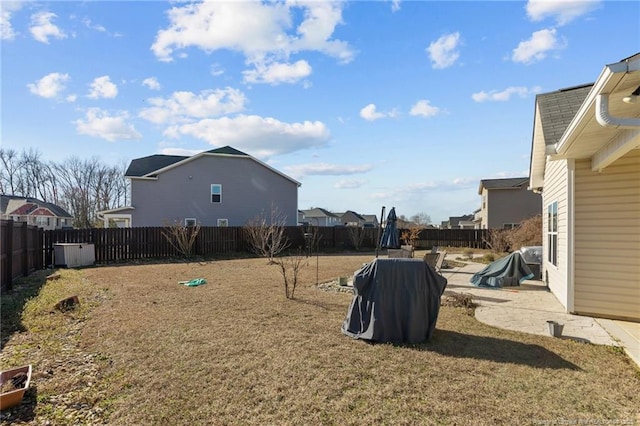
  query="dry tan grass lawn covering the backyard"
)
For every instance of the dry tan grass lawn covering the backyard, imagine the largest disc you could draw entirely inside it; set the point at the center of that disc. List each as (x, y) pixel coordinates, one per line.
(236, 351)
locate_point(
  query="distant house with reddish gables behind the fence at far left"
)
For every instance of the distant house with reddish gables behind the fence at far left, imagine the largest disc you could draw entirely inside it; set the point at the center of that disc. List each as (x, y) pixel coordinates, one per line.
(34, 212)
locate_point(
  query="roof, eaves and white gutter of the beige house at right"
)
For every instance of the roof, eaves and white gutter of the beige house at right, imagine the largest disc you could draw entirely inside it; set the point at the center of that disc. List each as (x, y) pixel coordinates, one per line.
(588, 122)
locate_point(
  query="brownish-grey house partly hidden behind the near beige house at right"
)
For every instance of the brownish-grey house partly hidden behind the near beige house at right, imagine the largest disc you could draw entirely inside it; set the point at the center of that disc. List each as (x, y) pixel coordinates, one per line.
(507, 202)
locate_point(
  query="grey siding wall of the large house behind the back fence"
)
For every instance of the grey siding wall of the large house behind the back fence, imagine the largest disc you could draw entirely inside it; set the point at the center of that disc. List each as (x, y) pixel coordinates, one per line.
(248, 190)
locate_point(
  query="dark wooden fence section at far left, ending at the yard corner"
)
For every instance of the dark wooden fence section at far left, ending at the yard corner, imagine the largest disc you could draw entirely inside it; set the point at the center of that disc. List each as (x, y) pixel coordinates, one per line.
(20, 251)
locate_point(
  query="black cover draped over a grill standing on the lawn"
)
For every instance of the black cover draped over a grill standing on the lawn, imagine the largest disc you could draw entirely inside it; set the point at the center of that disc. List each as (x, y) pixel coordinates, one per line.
(396, 301)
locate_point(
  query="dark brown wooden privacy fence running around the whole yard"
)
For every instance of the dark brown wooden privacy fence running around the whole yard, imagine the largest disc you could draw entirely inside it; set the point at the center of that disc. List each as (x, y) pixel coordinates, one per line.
(26, 248)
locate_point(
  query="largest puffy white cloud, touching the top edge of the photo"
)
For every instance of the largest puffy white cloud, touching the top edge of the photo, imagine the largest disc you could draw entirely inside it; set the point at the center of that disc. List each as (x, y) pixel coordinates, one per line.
(264, 32)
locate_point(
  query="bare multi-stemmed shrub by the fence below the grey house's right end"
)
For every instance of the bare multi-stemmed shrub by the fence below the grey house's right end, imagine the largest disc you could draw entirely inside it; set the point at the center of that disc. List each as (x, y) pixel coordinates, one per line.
(266, 235)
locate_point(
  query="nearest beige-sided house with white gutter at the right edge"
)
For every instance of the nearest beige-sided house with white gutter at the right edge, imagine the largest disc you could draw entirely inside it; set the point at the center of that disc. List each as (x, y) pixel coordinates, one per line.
(586, 163)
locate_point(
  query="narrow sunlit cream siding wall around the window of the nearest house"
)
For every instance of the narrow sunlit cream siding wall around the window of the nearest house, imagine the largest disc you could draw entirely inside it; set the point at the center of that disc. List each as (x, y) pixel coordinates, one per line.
(555, 189)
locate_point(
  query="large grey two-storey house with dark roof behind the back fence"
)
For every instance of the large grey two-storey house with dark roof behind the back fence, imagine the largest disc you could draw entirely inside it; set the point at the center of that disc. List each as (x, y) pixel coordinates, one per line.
(221, 187)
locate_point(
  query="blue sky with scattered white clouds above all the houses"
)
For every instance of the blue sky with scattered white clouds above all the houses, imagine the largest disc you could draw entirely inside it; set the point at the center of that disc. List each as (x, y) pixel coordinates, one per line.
(395, 103)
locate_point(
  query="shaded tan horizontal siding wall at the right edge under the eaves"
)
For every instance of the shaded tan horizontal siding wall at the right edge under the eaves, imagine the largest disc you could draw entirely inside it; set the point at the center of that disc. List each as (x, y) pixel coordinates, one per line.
(607, 209)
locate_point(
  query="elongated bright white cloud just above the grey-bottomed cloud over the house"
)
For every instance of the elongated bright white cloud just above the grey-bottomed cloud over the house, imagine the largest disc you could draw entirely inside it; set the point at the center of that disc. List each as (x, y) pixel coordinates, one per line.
(184, 106)
